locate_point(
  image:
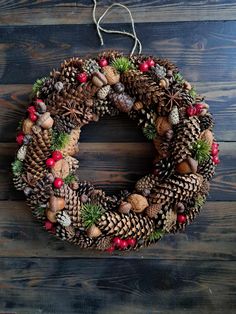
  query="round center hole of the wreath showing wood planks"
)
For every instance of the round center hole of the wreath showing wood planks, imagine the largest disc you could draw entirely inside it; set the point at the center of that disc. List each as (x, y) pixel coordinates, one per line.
(114, 154)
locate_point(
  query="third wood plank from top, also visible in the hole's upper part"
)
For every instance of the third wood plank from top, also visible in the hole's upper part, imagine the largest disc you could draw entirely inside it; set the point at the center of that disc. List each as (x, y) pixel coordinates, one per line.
(221, 97)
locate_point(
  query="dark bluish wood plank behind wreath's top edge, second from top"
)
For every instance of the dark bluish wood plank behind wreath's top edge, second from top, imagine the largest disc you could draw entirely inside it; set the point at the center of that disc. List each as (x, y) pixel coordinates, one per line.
(203, 51)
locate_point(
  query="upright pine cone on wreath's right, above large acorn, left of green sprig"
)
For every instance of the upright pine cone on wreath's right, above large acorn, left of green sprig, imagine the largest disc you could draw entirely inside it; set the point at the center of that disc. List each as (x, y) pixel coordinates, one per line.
(185, 135)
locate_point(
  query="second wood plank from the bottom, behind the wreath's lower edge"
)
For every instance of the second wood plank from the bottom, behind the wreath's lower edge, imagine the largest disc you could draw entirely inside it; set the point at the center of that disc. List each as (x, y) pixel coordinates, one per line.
(210, 237)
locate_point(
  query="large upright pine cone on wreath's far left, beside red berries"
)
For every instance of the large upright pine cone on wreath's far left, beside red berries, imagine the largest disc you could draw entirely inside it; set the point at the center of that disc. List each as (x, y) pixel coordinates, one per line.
(37, 152)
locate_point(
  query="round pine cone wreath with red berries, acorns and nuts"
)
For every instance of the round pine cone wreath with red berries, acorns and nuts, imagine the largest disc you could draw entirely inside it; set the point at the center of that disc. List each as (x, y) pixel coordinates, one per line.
(170, 113)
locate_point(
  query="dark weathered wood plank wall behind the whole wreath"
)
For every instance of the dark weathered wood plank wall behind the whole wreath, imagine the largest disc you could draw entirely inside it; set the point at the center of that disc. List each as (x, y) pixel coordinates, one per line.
(192, 272)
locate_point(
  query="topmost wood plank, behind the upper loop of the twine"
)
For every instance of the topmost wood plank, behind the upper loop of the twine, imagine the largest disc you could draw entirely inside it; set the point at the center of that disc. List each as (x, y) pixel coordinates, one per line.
(80, 12)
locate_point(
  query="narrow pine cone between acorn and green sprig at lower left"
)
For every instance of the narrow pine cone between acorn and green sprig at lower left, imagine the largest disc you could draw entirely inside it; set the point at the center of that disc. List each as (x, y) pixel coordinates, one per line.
(72, 206)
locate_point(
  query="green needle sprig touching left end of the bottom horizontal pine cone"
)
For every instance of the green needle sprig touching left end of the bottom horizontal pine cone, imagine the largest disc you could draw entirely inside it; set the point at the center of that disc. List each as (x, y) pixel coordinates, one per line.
(90, 213)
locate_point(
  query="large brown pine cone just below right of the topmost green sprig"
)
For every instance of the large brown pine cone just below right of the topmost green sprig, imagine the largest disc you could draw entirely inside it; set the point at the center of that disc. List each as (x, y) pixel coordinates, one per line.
(141, 86)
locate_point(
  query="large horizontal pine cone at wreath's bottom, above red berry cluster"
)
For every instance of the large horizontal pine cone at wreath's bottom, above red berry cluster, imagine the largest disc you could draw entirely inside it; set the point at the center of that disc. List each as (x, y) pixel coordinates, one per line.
(132, 225)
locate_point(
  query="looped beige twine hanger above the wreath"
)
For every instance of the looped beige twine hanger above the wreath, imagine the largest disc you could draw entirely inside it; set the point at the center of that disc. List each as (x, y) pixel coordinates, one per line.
(101, 29)
